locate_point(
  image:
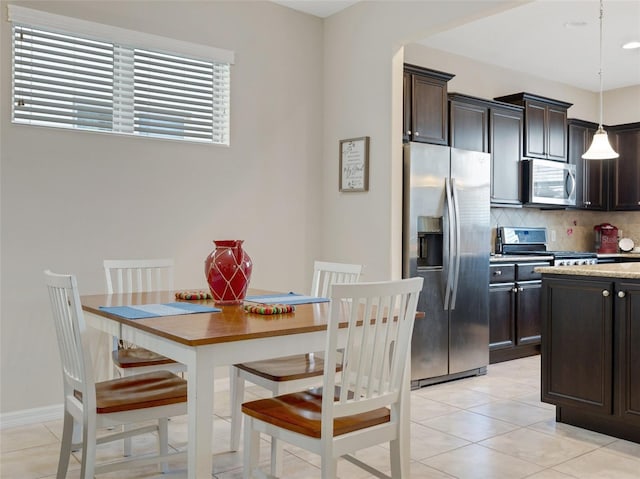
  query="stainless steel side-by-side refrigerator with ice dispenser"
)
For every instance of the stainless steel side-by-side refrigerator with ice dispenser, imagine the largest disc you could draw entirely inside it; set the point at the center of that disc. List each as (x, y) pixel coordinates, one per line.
(446, 240)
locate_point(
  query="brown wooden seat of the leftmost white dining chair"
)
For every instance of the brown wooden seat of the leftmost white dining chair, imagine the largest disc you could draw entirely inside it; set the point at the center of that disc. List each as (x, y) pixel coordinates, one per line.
(154, 389)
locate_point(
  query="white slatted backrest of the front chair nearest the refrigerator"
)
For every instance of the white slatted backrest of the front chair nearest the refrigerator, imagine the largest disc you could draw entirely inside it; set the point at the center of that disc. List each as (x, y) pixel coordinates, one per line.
(380, 324)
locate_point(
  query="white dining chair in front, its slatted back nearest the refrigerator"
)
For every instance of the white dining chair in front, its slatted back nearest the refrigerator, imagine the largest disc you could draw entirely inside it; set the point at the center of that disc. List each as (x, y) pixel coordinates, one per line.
(361, 407)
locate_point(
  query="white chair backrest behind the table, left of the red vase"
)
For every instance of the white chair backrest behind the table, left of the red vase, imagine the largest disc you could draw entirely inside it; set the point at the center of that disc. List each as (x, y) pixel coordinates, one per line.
(138, 276)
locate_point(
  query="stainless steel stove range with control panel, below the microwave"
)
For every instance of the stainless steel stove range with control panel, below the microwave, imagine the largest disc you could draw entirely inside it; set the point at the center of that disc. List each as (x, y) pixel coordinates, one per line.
(533, 241)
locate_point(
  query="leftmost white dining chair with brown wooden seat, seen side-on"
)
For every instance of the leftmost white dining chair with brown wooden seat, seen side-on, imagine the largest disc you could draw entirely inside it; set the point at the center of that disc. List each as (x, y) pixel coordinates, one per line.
(128, 400)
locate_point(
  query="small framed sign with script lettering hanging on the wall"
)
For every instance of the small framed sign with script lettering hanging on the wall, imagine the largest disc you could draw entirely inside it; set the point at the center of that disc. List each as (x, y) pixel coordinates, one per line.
(354, 164)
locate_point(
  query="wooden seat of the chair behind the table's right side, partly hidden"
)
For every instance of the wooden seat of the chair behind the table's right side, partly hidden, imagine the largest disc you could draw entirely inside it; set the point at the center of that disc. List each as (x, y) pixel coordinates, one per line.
(288, 368)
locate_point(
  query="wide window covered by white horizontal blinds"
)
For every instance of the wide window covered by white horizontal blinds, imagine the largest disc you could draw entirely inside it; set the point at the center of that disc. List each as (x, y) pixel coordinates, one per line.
(69, 81)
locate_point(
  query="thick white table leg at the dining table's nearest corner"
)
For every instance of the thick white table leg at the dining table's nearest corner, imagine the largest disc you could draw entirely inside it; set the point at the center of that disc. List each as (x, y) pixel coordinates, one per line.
(200, 410)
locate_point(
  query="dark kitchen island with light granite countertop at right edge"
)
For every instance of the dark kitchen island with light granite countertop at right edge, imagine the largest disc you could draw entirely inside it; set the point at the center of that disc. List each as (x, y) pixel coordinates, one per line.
(591, 346)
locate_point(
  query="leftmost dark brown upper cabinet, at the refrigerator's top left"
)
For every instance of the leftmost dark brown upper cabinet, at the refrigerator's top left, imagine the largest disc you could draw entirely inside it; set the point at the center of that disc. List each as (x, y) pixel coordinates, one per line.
(426, 116)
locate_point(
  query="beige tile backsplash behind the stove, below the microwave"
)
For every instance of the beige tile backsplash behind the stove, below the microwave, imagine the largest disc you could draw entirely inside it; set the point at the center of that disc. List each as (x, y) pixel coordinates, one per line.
(573, 229)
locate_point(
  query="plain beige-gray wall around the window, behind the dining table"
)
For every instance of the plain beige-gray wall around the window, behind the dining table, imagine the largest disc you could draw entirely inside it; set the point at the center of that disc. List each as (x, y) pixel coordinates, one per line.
(71, 199)
